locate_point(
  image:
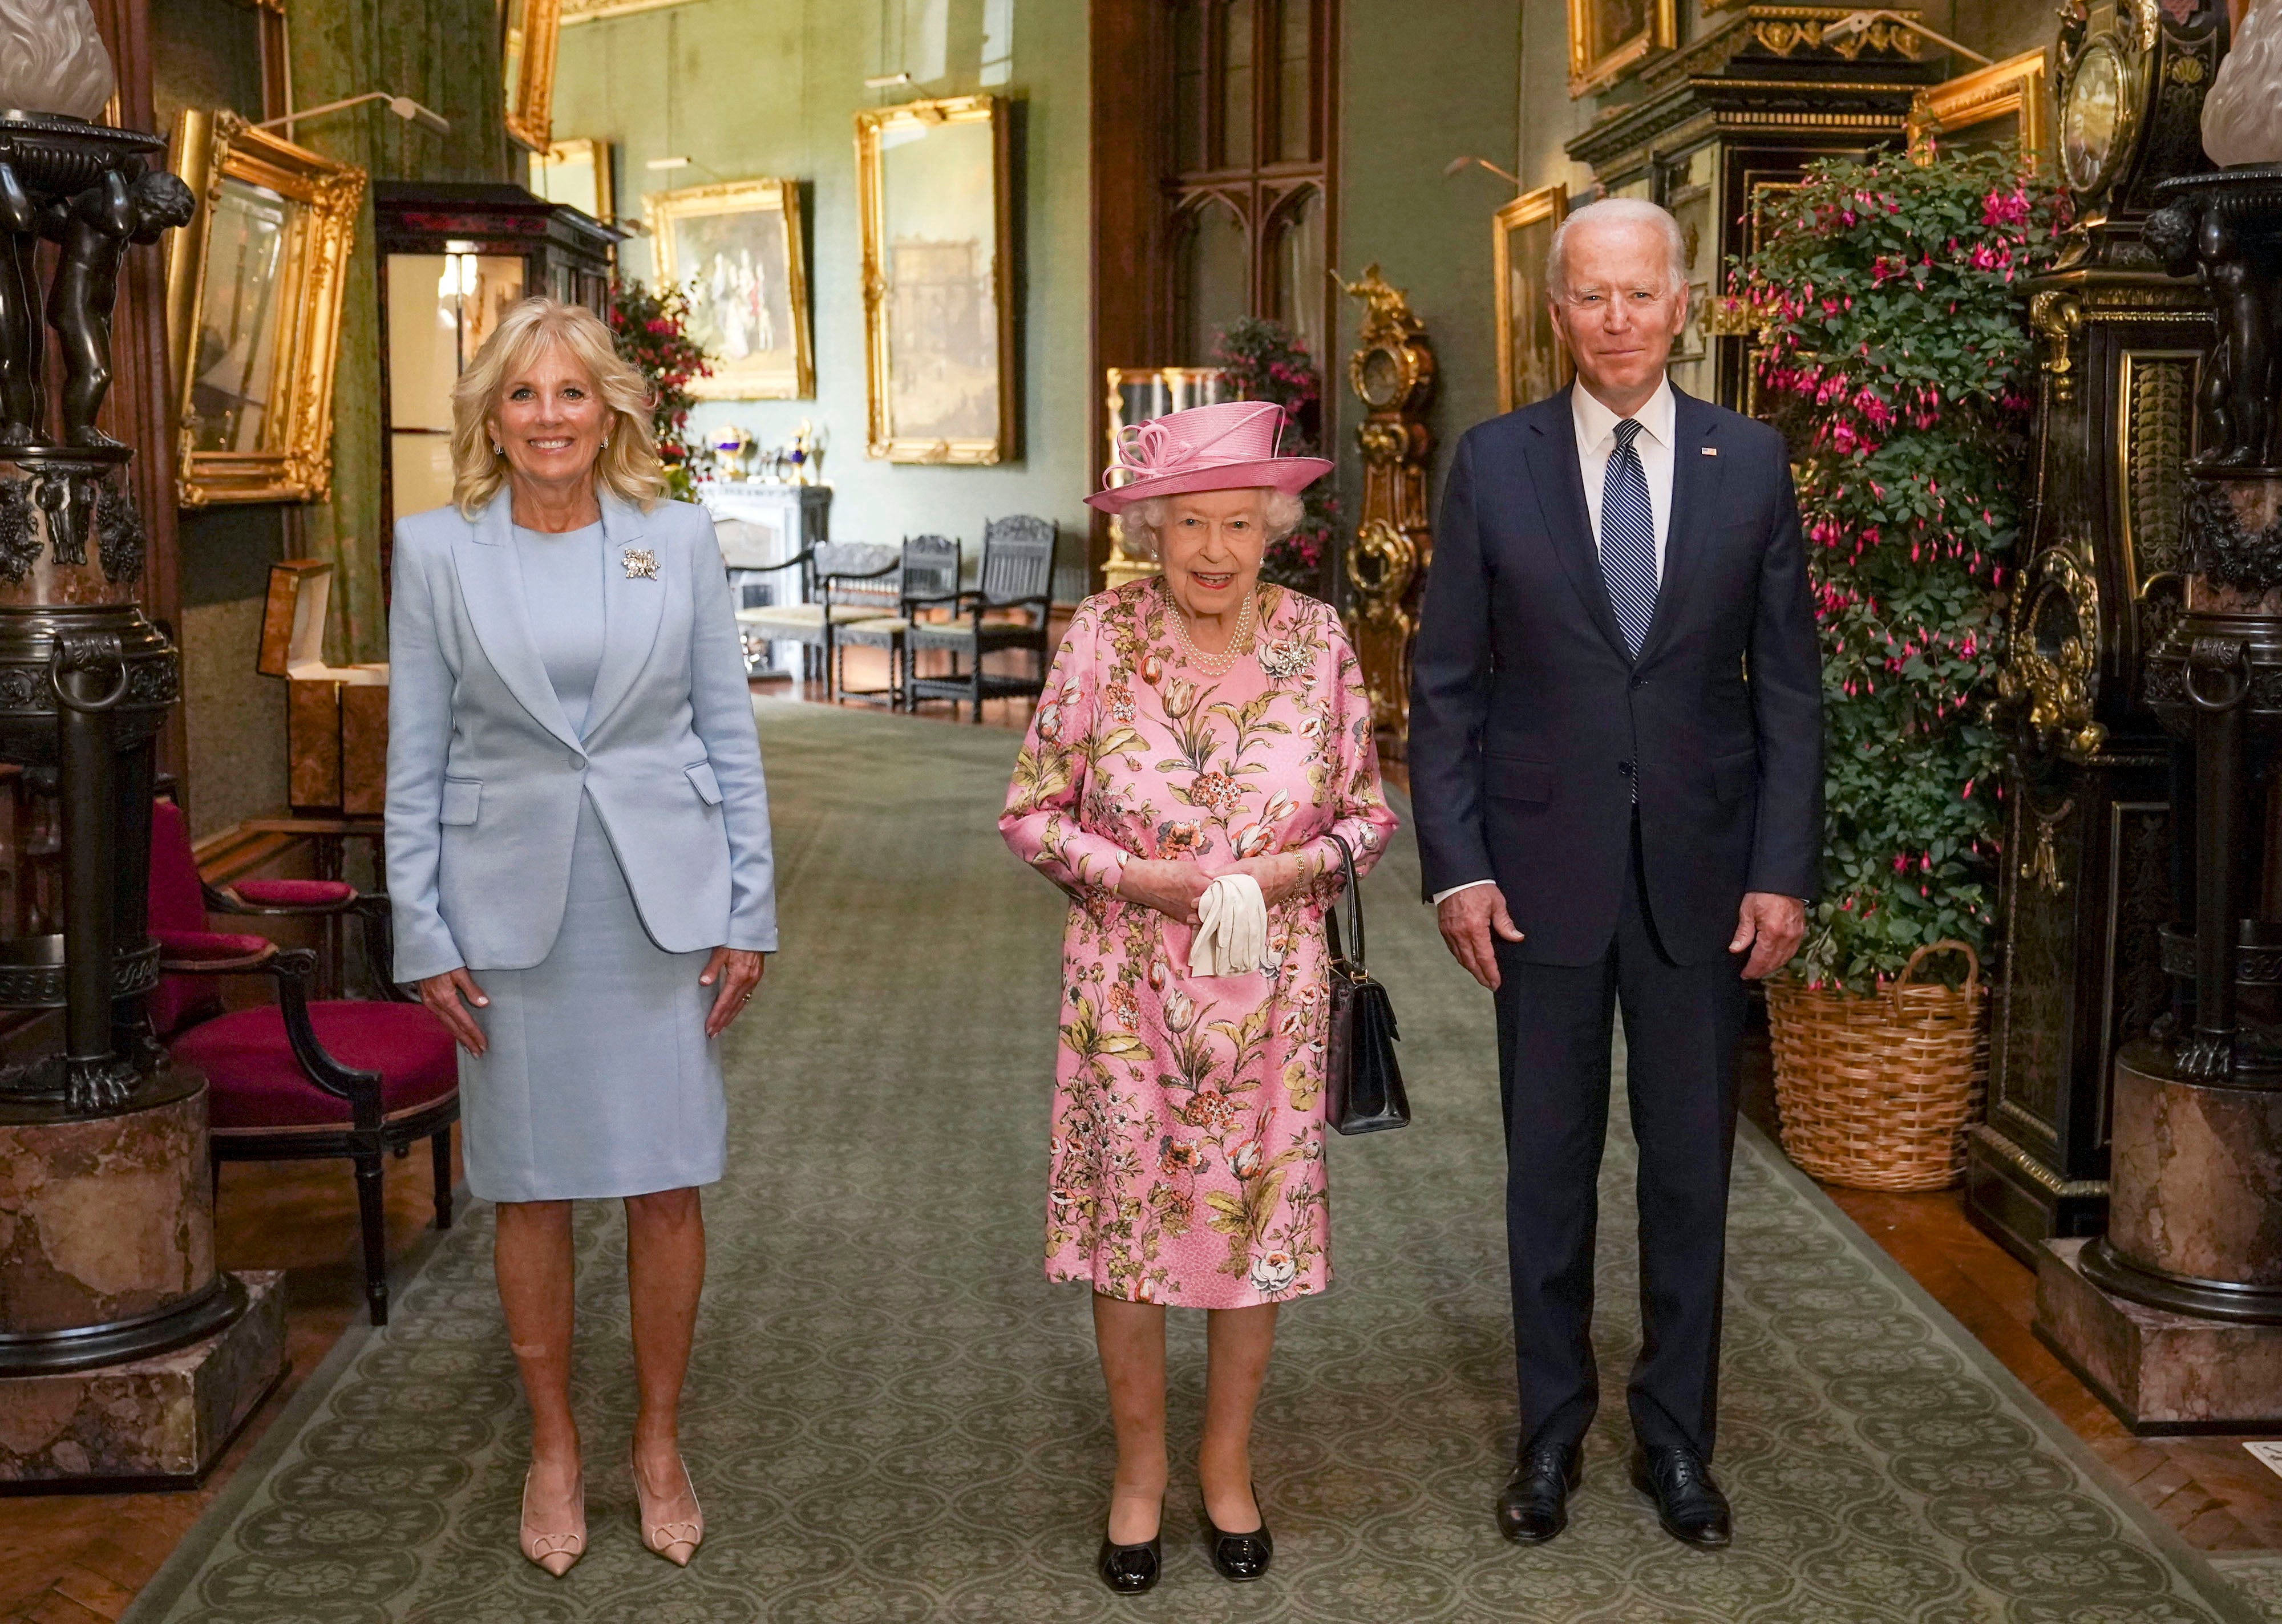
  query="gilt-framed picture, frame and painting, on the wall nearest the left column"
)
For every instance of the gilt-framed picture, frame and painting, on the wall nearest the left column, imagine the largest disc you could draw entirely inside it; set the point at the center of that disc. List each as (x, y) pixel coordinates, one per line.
(254, 286)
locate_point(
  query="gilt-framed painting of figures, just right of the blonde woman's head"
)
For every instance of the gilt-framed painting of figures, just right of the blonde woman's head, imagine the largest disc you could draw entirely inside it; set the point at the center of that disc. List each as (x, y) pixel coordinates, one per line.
(738, 250)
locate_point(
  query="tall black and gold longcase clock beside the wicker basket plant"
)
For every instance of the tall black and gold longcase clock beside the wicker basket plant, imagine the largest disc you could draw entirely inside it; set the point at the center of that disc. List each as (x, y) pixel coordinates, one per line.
(2089, 786)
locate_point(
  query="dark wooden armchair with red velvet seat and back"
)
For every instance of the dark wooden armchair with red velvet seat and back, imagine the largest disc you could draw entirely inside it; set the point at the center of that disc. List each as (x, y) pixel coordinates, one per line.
(300, 1078)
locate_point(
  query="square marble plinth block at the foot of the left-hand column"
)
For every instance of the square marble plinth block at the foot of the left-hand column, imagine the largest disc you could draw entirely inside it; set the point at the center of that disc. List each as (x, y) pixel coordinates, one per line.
(154, 1422)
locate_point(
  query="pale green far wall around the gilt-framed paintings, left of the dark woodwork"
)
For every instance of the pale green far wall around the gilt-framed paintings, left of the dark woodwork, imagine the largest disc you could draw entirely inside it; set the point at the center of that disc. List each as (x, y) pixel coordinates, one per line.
(770, 88)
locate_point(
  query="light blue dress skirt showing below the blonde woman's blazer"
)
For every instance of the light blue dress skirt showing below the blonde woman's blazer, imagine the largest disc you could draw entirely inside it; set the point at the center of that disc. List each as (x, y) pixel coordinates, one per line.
(599, 1078)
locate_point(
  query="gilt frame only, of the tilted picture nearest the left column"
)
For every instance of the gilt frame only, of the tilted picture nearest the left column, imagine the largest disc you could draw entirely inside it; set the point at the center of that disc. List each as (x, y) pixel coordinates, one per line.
(296, 462)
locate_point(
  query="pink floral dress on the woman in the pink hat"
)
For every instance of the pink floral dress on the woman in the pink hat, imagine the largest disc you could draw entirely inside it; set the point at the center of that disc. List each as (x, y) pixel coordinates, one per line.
(1188, 1158)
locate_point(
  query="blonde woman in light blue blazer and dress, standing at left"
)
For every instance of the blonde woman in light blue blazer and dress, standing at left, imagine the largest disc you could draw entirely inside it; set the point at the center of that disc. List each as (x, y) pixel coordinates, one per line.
(578, 863)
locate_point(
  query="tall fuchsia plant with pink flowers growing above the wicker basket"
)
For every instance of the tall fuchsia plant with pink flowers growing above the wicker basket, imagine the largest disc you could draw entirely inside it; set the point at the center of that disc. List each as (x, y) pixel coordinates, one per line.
(1893, 350)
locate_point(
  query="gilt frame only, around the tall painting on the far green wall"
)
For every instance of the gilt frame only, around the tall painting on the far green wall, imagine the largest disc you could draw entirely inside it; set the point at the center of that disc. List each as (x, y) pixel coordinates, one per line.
(873, 131)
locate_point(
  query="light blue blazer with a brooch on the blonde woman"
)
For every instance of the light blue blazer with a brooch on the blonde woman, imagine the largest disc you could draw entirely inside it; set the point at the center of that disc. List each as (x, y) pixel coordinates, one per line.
(485, 772)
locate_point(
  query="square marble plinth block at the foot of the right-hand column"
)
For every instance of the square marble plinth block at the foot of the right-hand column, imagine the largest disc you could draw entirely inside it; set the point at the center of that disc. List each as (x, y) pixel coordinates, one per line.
(2160, 1372)
